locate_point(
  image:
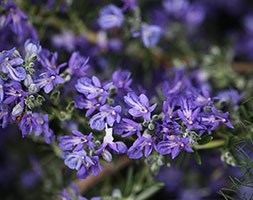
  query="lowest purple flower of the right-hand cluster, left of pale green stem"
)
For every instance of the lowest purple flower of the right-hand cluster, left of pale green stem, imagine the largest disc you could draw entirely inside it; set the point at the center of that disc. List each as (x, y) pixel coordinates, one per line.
(174, 145)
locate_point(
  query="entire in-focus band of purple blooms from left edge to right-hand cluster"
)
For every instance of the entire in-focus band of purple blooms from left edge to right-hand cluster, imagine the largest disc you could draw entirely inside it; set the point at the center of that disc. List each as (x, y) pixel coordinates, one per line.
(183, 110)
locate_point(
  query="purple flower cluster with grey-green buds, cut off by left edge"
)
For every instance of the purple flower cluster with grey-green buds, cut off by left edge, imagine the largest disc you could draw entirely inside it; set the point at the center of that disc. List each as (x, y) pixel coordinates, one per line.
(20, 86)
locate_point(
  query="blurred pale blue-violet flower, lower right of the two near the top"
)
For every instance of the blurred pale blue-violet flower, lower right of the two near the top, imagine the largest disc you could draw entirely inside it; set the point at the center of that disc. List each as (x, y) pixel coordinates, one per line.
(150, 34)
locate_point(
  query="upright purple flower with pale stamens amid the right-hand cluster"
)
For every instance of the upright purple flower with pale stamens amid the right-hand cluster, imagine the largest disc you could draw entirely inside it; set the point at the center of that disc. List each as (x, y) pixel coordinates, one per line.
(188, 113)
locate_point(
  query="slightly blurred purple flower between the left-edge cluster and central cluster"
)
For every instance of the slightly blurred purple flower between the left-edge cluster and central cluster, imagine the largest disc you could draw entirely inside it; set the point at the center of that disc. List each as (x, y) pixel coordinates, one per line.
(78, 64)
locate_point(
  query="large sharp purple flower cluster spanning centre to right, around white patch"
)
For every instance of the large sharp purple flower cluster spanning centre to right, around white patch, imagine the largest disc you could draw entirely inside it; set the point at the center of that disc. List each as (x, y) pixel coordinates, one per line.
(184, 113)
